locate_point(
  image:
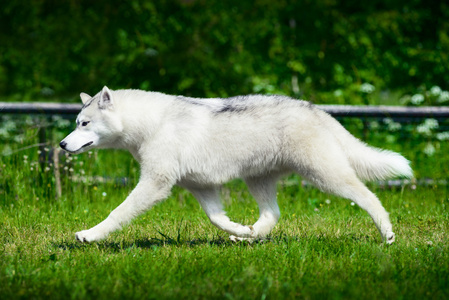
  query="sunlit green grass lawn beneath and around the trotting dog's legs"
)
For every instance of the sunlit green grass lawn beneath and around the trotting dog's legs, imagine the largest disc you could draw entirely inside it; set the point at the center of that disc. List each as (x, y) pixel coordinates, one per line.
(323, 247)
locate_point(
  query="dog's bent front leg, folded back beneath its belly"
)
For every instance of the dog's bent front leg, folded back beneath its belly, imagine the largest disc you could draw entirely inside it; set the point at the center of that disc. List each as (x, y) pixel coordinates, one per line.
(210, 202)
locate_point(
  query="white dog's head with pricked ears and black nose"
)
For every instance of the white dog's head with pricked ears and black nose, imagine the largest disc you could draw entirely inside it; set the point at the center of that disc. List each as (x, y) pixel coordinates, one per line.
(97, 125)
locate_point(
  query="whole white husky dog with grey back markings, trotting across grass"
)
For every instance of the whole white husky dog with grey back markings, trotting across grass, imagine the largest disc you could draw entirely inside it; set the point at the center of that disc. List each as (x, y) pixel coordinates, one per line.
(200, 144)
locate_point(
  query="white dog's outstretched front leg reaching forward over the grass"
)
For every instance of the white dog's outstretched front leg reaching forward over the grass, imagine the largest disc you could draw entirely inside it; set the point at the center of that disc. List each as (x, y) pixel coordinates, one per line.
(143, 197)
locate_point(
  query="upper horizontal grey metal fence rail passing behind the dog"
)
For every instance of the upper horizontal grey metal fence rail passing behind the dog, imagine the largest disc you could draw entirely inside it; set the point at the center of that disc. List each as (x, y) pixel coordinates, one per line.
(335, 110)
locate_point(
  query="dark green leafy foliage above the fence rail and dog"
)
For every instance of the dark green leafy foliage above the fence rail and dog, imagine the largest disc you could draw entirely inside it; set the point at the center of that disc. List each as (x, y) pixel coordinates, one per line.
(305, 49)
